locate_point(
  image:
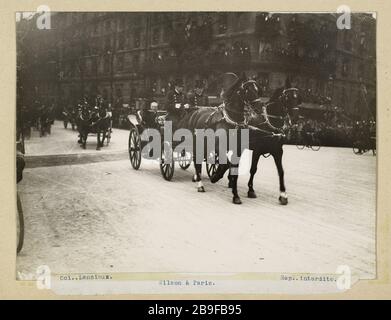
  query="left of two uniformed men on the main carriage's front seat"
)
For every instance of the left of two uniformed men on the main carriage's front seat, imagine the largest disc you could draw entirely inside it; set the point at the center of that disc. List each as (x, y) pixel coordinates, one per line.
(176, 102)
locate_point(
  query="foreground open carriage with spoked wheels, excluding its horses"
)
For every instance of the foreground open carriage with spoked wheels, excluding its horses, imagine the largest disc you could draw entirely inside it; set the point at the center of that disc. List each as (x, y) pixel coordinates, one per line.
(141, 123)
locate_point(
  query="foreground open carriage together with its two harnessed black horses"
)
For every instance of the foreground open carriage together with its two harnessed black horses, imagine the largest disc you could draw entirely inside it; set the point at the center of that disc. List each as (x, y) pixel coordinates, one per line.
(266, 123)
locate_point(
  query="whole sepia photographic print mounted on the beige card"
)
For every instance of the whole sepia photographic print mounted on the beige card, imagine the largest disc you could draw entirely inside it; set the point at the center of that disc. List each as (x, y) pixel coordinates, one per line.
(196, 152)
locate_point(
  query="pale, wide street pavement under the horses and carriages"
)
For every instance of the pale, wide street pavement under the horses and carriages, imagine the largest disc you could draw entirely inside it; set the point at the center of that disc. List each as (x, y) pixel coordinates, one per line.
(90, 211)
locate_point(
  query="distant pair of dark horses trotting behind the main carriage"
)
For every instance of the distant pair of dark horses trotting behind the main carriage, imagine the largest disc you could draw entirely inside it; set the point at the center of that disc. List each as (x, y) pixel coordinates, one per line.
(93, 120)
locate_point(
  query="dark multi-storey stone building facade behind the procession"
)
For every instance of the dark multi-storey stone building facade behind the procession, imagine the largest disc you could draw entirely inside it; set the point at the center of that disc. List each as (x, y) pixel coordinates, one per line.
(125, 56)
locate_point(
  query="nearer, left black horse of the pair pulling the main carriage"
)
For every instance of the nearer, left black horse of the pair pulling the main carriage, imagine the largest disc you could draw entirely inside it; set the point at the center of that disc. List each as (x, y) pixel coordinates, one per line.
(226, 117)
